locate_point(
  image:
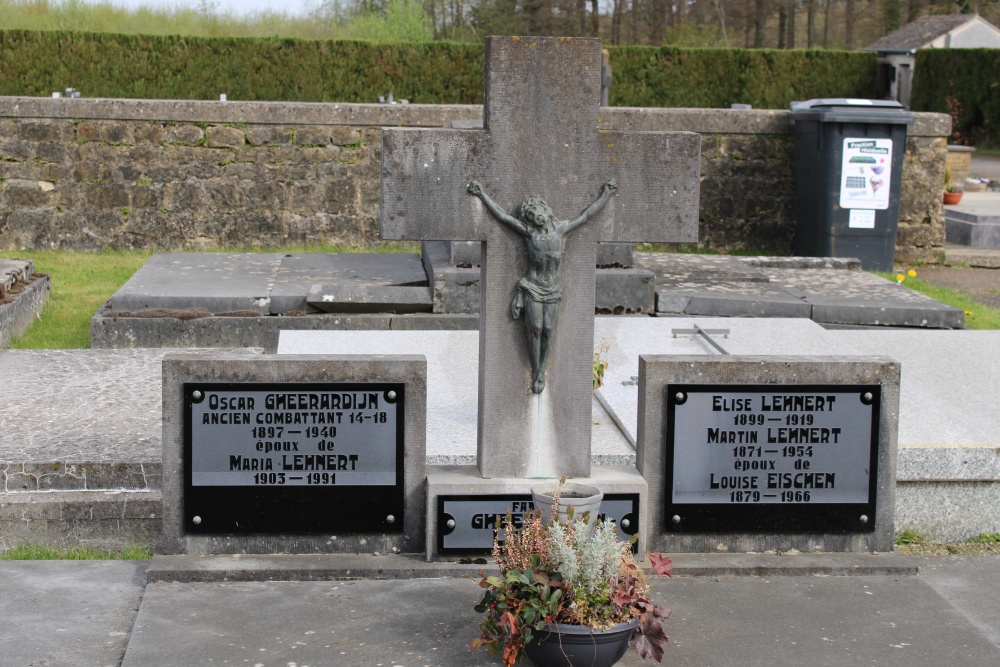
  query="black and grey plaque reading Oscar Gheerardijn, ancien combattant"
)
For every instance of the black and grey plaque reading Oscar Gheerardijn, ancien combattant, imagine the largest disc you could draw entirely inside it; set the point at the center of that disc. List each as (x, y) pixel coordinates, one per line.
(293, 457)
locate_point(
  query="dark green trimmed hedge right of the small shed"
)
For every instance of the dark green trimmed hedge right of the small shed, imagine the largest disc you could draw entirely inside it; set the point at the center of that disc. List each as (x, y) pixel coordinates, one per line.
(970, 76)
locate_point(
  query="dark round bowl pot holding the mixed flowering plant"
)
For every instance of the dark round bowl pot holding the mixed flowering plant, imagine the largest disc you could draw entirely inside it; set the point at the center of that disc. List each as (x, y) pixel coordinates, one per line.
(560, 645)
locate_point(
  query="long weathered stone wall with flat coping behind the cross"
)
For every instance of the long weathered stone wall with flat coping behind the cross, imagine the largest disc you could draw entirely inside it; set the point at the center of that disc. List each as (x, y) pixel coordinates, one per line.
(91, 174)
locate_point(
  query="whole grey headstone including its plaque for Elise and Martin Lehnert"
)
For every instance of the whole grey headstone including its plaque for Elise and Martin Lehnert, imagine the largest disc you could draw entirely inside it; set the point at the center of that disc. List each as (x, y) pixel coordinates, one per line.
(740, 462)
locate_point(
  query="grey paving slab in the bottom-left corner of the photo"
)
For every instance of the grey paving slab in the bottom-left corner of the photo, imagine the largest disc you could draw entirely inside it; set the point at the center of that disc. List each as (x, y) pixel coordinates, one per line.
(68, 613)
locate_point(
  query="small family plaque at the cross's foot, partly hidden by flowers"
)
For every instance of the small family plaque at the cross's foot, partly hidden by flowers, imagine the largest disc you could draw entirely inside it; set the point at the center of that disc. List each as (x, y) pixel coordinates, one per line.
(466, 523)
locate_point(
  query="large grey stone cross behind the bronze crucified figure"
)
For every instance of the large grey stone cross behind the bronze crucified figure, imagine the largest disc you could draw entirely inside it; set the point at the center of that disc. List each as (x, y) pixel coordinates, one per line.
(542, 137)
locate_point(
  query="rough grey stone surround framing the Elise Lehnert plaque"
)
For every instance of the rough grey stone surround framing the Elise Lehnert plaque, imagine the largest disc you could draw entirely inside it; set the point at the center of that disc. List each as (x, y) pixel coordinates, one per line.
(656, 371)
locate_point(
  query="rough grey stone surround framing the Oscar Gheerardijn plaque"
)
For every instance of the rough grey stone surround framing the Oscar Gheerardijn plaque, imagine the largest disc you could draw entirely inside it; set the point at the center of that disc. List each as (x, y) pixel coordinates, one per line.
(240, 366)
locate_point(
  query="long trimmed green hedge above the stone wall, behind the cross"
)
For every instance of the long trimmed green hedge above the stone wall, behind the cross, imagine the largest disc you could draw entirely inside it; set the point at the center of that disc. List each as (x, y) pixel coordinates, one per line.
(154, 67)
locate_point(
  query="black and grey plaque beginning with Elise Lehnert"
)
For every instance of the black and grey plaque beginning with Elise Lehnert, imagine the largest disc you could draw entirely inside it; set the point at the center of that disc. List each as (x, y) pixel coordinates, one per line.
(771, 458)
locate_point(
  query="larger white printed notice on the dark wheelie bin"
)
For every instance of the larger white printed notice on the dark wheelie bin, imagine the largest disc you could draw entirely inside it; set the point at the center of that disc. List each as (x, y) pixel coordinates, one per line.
(866, 174)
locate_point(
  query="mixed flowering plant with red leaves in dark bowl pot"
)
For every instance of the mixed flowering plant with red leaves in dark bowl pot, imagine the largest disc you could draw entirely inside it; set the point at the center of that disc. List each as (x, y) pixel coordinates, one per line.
(562, 598)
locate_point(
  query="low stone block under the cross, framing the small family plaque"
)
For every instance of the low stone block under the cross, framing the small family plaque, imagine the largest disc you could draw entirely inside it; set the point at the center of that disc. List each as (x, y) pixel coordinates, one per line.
(465, 481)
